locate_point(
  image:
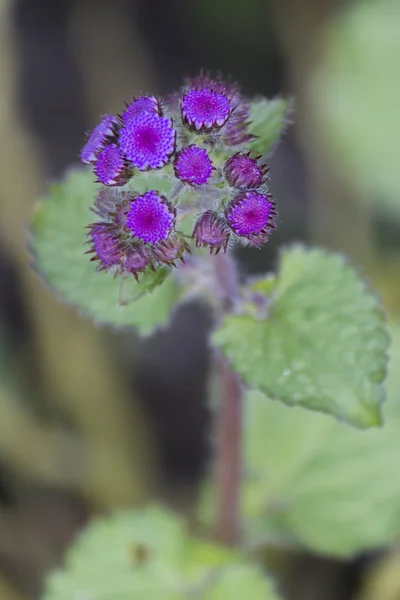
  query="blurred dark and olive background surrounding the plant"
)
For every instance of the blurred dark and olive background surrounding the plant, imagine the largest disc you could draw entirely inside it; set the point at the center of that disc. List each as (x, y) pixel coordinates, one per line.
(91, 419)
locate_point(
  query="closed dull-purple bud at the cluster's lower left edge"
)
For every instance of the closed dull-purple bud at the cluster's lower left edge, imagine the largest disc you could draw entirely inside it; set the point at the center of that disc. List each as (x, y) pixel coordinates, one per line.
(106, 245)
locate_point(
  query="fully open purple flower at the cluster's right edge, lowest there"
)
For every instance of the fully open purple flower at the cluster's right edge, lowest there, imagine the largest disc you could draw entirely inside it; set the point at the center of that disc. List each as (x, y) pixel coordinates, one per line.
(252, 215)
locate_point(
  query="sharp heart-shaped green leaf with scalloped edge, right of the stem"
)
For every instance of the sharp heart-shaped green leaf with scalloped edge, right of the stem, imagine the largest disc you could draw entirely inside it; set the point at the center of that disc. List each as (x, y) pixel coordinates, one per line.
(322, 346)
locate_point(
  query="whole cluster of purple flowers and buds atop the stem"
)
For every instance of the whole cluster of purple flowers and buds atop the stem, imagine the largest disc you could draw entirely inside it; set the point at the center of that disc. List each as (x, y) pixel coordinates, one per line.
(200, 139)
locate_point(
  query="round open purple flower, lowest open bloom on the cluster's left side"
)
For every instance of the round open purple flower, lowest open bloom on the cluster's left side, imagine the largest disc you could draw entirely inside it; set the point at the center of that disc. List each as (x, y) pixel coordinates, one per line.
(151, 217)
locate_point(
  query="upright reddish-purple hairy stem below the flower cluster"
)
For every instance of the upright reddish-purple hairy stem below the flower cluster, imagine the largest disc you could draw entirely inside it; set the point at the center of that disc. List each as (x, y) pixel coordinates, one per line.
(229, 419)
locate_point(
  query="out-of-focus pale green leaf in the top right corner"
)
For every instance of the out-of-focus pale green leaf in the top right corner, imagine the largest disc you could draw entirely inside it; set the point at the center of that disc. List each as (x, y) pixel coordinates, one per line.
(360, 59)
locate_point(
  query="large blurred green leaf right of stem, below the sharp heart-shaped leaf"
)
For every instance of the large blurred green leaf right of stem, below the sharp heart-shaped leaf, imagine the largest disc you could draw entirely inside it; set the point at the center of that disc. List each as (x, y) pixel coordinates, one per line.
(318, 483)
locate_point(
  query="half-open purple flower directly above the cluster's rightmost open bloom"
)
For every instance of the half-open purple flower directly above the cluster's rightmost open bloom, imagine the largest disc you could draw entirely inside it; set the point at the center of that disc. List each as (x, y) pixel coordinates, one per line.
(242, 171)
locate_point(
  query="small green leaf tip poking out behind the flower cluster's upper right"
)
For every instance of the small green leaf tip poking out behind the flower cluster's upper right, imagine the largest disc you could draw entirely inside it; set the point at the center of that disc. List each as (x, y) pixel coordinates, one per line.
(268, 121)
